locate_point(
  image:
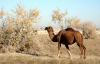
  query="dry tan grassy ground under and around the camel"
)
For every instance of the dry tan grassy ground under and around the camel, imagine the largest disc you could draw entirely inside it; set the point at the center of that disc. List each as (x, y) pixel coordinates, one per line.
(43, 51)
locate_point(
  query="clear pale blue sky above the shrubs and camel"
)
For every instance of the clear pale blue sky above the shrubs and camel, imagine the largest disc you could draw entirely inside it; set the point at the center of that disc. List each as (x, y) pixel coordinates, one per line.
(85, 10)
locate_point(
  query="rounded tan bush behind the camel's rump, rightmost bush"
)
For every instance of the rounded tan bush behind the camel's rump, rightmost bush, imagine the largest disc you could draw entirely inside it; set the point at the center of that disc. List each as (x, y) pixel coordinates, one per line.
(89, 30)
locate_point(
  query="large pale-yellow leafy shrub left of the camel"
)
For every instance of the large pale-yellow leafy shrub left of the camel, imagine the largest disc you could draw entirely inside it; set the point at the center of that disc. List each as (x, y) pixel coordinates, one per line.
(16, 30)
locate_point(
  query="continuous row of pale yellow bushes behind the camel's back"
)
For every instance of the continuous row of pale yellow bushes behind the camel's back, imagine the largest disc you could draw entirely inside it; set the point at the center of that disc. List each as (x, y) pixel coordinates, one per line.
(89, 29)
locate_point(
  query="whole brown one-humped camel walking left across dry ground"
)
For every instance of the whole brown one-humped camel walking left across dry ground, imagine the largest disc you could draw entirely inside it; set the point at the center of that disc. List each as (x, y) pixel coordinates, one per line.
(67, 37)
